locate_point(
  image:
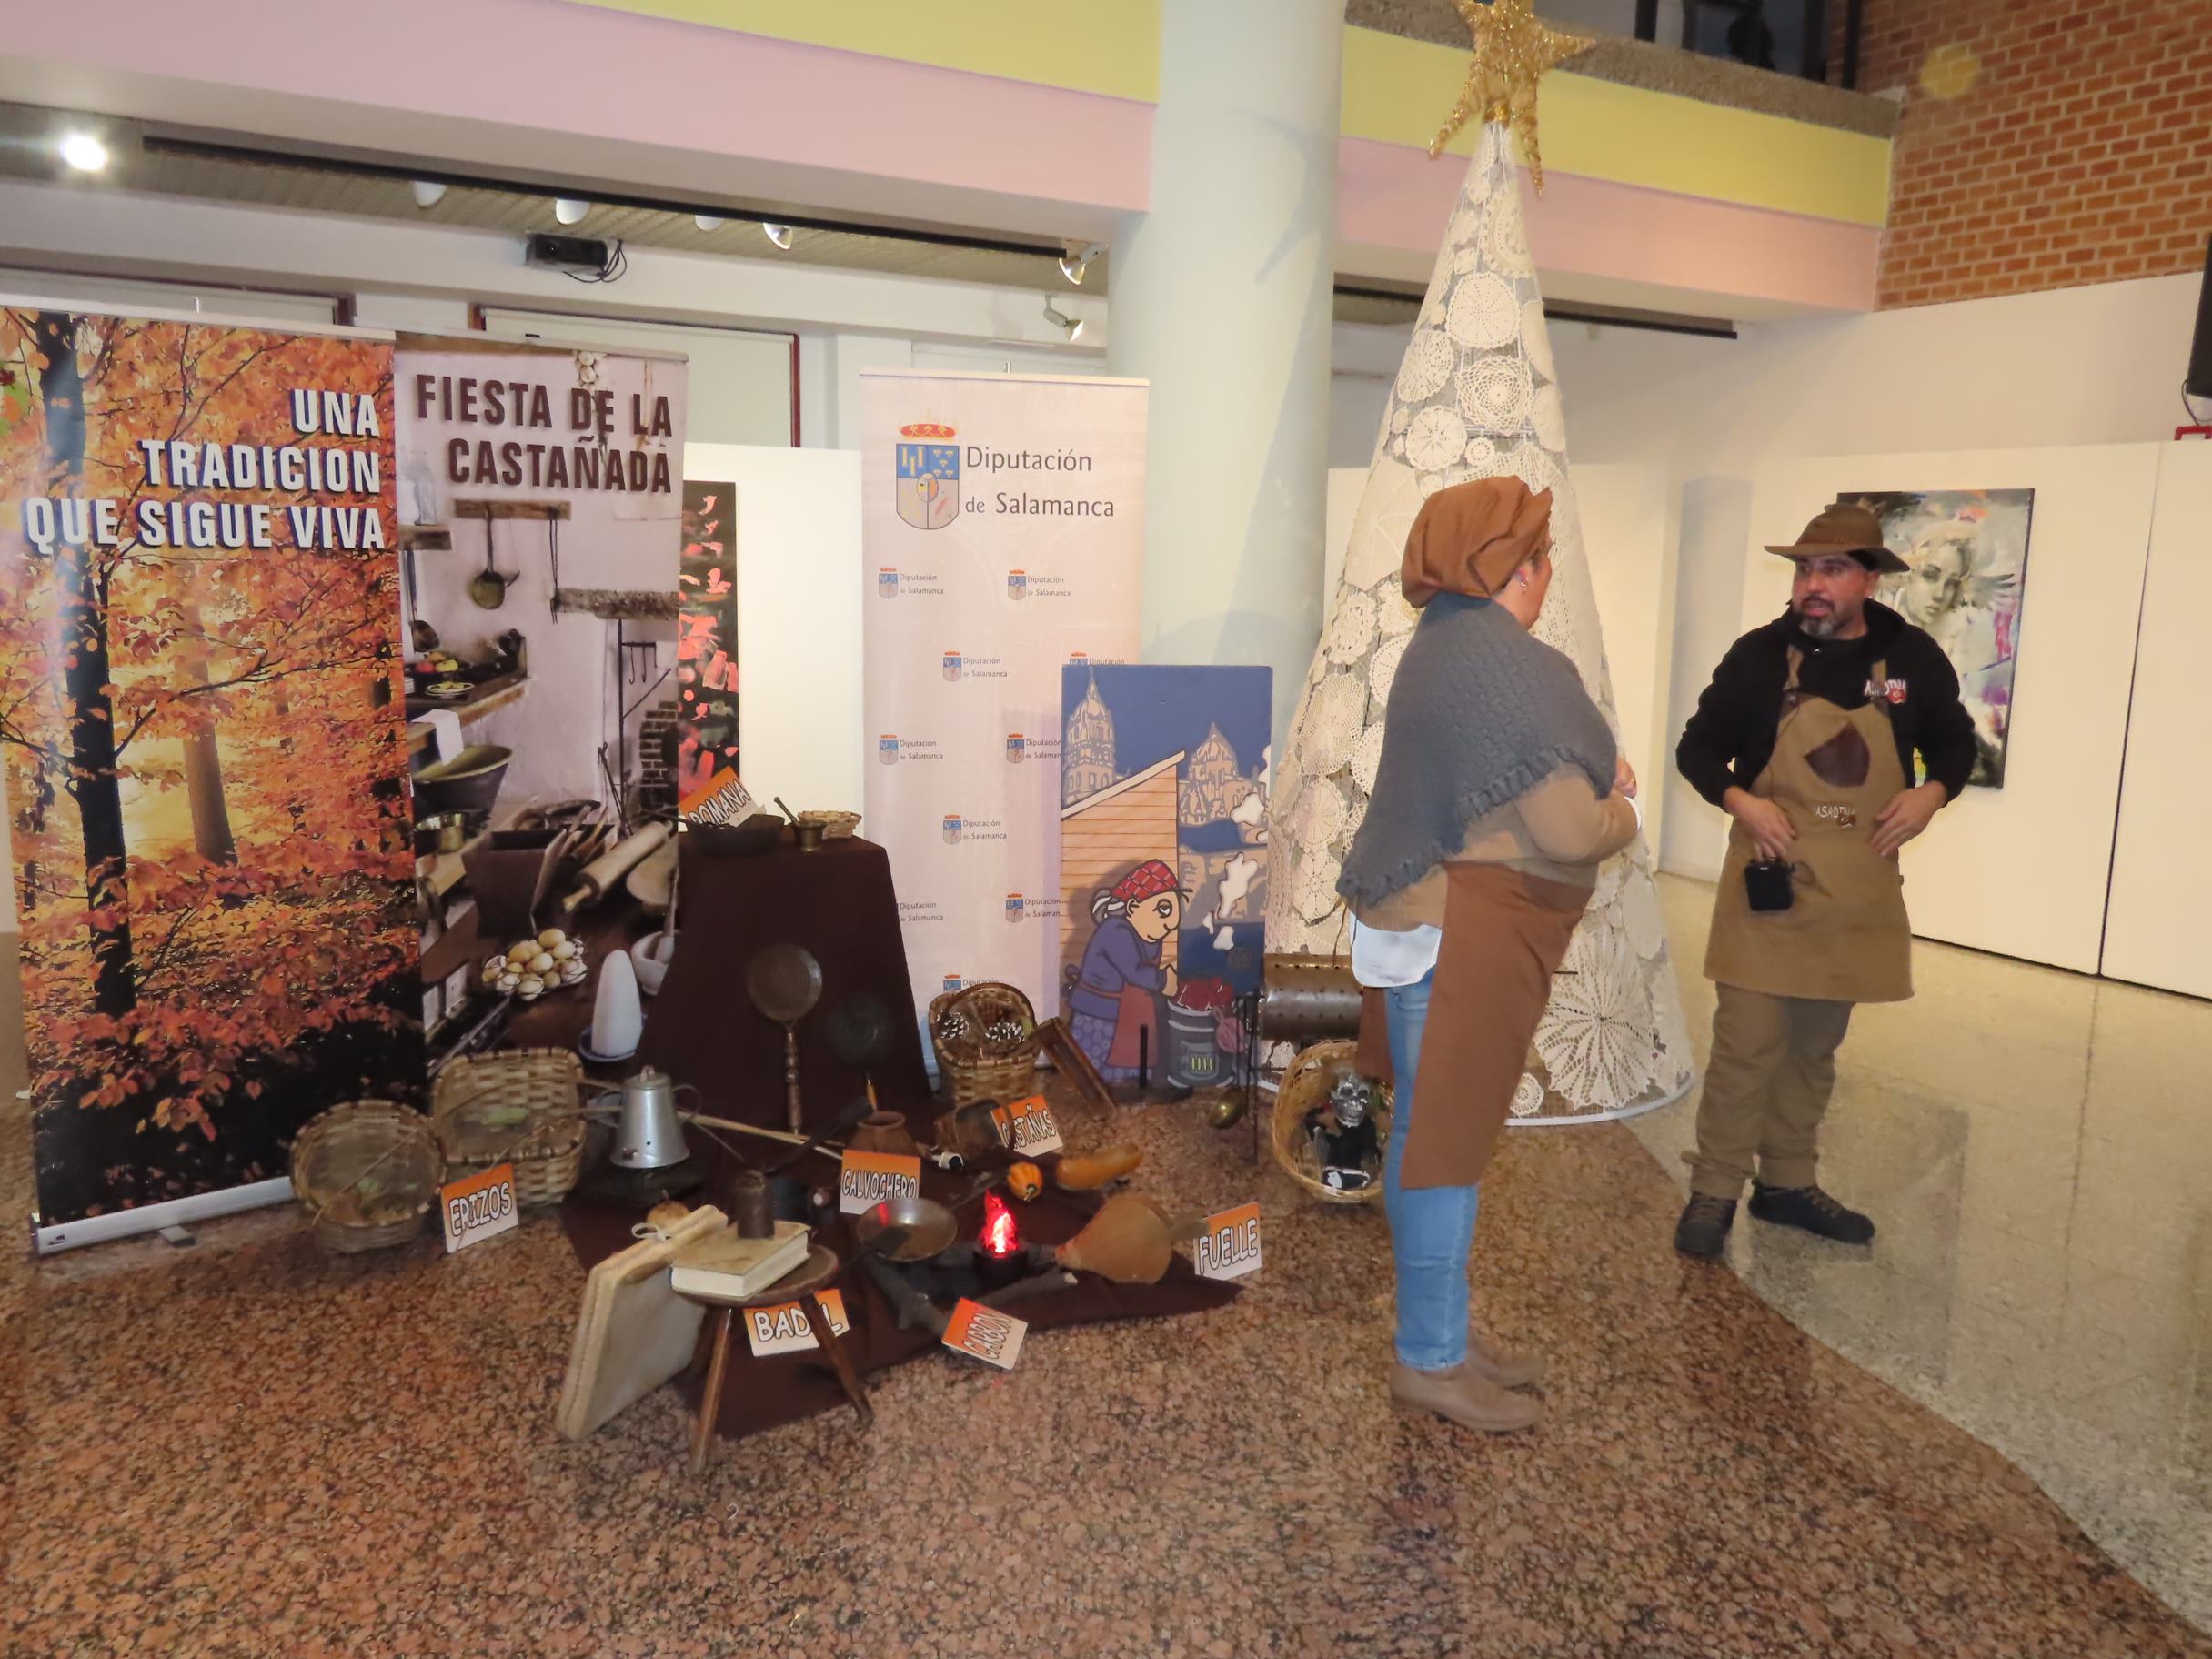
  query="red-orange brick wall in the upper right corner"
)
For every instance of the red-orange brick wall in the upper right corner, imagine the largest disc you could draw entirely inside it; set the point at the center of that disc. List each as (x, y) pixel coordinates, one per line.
(2045, 143)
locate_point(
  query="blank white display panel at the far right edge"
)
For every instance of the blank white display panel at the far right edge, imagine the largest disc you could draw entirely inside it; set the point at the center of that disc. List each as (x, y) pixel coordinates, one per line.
(2160, 919)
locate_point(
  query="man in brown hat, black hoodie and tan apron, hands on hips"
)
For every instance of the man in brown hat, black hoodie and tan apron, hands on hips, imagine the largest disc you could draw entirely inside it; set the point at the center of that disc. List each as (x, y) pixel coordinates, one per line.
(1806, 738)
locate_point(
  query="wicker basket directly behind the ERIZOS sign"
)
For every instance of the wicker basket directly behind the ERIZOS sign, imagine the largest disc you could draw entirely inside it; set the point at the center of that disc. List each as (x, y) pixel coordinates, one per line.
(521, 1107)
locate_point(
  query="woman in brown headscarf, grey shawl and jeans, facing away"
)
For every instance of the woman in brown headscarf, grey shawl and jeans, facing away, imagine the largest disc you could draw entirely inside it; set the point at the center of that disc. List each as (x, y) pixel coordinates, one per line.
(1499, 795)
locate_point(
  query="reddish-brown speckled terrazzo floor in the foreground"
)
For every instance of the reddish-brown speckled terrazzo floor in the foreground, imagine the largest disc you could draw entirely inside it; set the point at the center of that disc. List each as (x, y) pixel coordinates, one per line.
(251, 1450)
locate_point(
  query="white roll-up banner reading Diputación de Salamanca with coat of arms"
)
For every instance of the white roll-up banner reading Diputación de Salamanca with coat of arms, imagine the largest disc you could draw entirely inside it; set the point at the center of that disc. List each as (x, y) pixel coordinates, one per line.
(1003, 534)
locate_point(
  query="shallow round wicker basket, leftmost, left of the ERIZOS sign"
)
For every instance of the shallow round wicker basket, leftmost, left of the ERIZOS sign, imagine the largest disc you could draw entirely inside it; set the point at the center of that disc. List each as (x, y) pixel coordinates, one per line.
(368, 1173)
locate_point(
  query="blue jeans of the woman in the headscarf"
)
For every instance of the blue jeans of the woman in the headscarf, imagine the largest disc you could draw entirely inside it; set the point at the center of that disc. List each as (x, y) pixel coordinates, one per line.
(1430, 1229)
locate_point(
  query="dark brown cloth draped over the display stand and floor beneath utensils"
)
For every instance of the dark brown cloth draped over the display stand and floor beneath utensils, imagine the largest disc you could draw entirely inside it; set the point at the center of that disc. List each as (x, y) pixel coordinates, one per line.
(702, 1030)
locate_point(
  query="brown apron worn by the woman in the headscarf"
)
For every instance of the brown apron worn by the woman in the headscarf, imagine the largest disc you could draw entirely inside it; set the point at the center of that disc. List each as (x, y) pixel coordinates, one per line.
(1505, 937)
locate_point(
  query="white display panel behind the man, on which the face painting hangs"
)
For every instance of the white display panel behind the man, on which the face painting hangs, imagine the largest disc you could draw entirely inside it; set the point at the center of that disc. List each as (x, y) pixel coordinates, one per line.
(2018, 870)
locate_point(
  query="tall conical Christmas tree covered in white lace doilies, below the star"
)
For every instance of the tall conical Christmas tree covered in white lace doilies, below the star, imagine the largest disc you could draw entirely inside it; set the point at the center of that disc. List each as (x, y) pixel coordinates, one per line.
(1477, 399)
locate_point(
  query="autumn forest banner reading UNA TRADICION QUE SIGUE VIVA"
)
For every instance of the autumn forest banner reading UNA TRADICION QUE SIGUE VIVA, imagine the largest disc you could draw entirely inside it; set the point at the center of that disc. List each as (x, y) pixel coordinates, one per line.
(207, 760)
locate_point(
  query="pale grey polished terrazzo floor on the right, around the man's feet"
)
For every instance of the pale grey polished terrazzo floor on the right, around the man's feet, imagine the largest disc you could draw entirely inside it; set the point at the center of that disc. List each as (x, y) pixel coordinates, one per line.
(2038, 1154)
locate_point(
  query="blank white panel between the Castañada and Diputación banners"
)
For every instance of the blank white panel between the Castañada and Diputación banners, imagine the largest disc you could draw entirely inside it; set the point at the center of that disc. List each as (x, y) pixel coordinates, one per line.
(797, 620)
